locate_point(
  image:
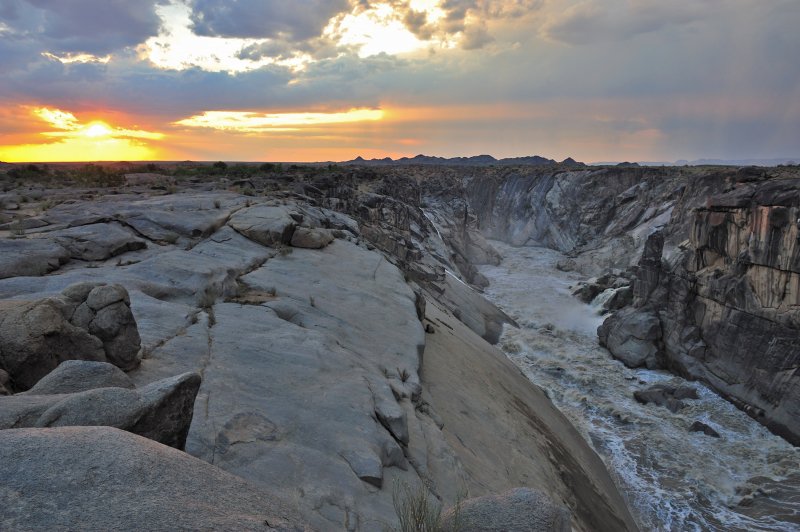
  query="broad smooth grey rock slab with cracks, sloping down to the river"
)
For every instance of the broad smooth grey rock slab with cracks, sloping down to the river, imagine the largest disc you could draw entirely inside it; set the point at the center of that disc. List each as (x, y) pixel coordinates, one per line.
(311, 357)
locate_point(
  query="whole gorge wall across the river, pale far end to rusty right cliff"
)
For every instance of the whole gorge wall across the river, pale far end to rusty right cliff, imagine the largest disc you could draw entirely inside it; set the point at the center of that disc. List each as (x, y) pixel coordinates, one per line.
(711, 255)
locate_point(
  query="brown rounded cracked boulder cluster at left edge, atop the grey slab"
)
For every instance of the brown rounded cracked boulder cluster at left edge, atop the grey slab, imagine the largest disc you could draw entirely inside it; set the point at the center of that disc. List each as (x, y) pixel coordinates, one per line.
(88, 321)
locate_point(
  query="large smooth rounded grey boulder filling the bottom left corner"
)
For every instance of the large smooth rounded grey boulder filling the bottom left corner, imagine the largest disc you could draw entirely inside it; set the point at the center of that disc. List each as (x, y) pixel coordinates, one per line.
(101, 478)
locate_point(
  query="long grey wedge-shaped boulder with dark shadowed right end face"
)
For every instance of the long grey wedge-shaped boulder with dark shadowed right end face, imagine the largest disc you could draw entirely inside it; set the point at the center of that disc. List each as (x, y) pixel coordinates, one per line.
(161, 411)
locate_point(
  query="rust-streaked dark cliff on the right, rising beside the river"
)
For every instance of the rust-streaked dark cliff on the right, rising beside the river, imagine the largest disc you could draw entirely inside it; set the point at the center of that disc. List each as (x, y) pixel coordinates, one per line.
(728, 301)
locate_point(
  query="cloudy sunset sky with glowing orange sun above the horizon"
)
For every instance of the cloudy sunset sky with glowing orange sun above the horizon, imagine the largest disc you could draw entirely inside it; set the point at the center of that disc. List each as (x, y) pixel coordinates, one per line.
(316, 80)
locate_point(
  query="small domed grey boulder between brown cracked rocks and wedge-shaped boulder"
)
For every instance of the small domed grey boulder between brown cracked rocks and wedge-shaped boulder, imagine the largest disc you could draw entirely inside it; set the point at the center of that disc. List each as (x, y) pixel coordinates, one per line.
(73, 376)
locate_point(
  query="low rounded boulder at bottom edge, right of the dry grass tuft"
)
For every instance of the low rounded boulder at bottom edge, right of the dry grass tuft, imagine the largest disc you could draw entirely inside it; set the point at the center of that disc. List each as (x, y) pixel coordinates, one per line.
(519, 509)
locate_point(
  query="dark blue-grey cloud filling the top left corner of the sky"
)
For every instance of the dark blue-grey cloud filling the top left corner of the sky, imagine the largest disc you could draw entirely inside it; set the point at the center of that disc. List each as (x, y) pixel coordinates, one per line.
(88, 26)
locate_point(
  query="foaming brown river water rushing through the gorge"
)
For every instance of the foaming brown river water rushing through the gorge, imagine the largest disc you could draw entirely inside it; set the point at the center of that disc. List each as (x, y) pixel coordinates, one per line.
(673, 479)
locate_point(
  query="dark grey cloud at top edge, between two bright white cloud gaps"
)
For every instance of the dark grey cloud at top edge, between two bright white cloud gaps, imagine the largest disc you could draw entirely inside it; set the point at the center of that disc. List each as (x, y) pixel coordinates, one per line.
(296, 19)
